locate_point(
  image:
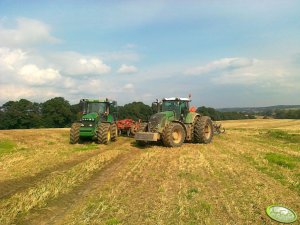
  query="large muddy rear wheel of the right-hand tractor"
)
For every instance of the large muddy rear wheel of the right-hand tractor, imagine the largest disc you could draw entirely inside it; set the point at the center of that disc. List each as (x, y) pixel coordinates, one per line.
(203, 130)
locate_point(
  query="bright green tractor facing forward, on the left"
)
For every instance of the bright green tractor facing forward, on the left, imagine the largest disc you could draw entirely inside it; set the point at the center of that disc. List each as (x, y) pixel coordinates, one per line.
(97, 122)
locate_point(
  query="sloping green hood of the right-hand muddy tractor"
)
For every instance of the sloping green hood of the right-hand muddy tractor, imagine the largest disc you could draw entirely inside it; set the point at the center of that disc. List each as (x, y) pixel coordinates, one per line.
(158, 121)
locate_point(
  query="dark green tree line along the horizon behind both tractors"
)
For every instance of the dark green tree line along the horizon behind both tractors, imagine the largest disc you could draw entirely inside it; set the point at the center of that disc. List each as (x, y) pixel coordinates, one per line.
(58, 112)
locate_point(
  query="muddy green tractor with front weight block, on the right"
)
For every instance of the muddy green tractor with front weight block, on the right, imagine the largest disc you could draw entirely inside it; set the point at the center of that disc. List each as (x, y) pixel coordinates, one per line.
(175, 123)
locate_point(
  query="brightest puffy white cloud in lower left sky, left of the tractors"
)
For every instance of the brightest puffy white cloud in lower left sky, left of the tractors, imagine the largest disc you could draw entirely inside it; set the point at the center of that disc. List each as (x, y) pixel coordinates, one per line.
(35, 76)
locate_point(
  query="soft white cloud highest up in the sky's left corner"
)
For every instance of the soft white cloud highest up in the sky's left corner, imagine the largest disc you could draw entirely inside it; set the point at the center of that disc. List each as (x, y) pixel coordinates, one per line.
(27, 32)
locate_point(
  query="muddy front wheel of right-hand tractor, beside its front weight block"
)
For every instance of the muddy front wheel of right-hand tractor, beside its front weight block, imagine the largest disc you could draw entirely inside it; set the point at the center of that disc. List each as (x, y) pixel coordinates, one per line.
(173, 135)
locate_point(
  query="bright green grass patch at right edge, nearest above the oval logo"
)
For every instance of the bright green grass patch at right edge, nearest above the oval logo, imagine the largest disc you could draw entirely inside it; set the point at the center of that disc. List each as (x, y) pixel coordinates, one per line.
(282, 160)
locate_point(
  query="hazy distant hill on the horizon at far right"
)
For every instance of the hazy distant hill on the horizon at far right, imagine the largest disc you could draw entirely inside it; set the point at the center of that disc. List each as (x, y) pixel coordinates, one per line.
(259, 109)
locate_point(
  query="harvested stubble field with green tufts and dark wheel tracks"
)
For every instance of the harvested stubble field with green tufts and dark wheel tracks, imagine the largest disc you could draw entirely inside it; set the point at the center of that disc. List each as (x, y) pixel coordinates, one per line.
(45, 180)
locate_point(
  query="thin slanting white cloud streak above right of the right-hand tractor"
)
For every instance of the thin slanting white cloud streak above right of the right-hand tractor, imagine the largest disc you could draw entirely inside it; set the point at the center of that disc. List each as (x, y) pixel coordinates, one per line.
(221, 64)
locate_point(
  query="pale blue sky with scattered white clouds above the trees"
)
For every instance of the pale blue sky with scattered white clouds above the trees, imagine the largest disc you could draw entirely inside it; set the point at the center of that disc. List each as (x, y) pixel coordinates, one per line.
(225, 53)
